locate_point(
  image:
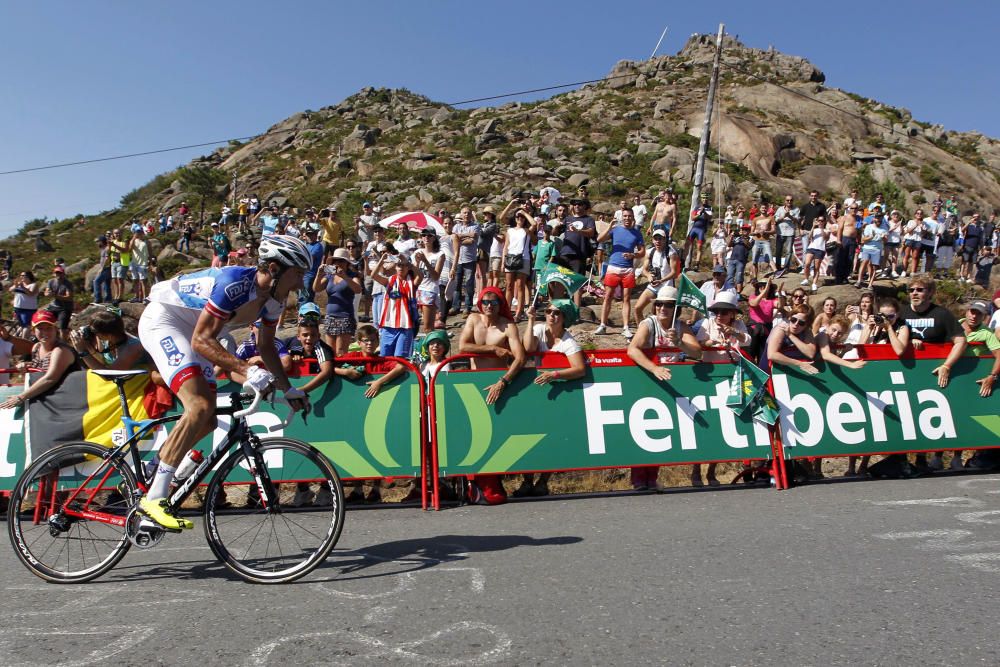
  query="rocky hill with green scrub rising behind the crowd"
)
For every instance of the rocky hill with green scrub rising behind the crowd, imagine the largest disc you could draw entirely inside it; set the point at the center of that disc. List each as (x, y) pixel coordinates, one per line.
(778, 129)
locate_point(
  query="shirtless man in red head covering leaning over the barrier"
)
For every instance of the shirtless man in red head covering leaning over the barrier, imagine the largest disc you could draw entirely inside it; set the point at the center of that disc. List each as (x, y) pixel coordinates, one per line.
(493, 332)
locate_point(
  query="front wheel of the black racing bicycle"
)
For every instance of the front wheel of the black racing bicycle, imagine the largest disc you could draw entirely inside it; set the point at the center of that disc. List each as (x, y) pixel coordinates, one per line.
(281, 542)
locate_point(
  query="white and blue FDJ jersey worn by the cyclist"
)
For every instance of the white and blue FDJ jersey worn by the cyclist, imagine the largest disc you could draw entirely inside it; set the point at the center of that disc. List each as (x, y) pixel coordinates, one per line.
(218, 291)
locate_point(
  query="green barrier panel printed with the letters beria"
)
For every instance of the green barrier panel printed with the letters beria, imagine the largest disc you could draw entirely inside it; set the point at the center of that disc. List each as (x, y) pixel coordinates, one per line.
(887, 406)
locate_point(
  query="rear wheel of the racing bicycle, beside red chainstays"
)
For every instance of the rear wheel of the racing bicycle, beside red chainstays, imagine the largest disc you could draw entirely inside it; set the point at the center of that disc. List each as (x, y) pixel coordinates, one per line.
(66, 518)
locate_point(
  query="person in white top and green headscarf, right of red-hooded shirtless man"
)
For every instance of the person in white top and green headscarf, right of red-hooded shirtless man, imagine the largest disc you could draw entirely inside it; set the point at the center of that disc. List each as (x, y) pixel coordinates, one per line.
(552, 336)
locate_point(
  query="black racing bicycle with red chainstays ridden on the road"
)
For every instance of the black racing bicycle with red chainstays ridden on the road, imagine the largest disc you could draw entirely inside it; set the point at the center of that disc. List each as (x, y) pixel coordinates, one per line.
(273, 508)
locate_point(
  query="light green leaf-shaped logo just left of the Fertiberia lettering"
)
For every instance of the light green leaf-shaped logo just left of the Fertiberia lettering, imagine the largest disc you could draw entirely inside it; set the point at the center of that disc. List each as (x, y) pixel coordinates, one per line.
(481, 435)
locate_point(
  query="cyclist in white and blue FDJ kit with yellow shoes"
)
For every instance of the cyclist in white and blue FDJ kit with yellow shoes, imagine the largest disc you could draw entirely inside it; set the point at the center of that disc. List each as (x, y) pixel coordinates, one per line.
(180, 329)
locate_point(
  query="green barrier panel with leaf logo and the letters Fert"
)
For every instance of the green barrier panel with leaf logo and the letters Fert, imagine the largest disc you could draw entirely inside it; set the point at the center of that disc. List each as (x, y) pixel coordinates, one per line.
(615, 416)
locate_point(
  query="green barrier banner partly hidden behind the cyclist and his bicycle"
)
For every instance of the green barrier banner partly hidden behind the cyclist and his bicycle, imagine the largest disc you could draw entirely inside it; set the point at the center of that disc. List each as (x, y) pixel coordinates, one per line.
(362, 437)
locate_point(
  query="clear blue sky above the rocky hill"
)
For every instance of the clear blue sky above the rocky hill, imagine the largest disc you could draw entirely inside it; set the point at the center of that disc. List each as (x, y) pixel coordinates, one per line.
(94, 79)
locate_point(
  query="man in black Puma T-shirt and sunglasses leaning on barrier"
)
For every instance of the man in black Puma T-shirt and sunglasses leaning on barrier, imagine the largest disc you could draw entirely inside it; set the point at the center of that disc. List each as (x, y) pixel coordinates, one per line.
(931, 323)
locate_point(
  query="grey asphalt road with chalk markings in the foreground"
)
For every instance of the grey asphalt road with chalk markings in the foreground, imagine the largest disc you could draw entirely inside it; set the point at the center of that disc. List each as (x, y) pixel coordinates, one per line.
(885, 573)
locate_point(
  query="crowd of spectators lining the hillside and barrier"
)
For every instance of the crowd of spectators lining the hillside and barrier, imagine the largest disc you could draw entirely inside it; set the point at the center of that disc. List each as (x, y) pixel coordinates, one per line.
(375, 292)
